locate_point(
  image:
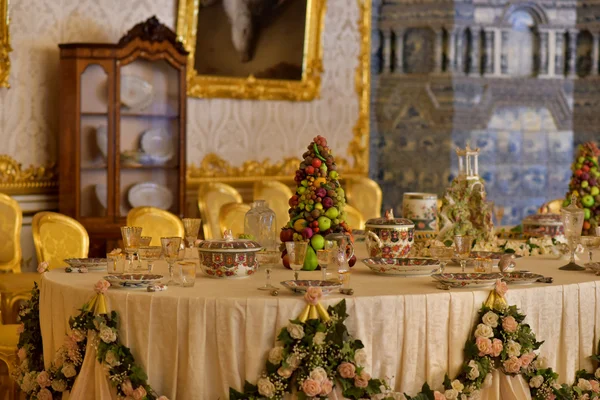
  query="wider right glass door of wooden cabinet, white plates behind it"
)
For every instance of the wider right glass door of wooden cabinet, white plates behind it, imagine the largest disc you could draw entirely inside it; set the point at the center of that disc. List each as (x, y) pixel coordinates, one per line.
(148, 136)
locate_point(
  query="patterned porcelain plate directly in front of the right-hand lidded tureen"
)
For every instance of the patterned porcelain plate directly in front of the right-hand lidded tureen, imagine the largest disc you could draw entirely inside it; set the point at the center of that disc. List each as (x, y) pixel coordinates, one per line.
(402, 266)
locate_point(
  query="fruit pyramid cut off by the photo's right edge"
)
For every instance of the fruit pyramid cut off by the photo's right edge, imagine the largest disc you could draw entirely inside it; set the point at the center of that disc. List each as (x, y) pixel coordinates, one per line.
(585, 184)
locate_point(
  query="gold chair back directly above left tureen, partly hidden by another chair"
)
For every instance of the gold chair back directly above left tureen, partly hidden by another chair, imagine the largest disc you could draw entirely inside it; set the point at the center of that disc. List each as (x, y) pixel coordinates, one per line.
(211, 197)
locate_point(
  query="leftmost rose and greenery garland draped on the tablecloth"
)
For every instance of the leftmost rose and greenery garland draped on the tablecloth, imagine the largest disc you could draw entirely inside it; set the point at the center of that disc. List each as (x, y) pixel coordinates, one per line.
(94, 324)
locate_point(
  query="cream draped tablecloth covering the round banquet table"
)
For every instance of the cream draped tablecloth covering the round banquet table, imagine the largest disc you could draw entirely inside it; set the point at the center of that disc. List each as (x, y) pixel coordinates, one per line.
(194, 343)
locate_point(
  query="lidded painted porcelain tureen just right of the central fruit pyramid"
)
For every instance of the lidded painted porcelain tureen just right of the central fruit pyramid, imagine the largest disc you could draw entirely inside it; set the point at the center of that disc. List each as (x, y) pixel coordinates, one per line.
(389, 237)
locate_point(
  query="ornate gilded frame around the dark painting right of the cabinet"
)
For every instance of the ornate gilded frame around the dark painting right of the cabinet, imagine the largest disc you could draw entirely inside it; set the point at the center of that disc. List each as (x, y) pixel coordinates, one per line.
(216, 86)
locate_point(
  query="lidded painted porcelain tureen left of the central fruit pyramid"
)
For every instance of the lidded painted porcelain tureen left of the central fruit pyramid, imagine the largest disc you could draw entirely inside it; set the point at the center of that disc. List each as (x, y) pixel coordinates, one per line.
(228, 257)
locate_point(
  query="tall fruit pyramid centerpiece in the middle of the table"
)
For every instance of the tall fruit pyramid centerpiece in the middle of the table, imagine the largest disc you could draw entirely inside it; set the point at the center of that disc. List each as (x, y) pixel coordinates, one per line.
(317, 207)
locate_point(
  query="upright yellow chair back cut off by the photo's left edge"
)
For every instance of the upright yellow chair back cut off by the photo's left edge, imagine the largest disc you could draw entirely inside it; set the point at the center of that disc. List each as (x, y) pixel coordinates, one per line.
(11, 219)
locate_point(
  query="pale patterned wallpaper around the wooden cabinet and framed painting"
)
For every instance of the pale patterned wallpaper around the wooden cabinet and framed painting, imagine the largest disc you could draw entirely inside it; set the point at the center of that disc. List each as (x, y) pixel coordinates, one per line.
(236, 130)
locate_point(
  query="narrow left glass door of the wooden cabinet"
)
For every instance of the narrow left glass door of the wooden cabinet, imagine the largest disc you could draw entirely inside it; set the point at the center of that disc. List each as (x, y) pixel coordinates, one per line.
(94, 134)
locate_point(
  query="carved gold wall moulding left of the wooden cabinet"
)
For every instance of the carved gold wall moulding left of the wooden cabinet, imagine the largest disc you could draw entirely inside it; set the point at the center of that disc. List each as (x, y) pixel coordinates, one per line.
(16, 180)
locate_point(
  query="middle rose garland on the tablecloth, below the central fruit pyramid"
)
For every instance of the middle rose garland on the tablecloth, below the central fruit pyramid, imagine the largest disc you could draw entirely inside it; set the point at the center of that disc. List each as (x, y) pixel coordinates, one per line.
(314, 352)
